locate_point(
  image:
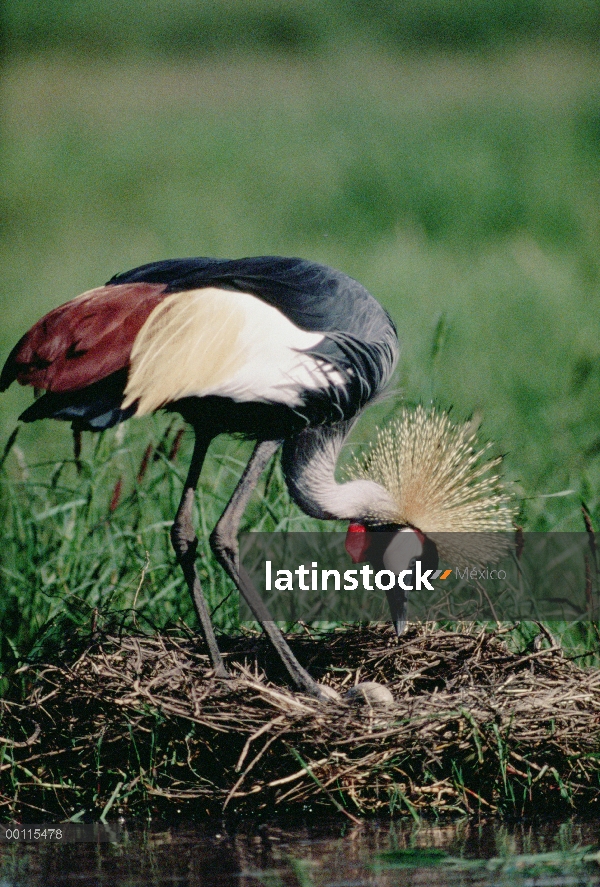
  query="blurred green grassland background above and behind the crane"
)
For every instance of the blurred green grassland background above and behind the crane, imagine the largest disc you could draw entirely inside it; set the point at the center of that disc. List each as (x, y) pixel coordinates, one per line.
(446, 153)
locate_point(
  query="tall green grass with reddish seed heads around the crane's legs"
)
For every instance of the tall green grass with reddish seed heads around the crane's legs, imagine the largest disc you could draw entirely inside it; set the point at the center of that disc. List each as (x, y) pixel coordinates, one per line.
(81, 542)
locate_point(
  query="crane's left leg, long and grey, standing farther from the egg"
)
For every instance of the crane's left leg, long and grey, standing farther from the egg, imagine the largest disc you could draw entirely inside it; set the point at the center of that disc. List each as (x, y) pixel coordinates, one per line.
(185, 543)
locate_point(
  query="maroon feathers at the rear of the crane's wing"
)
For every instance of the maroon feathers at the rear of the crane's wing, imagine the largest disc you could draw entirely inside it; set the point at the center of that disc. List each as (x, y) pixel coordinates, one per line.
(84, 340)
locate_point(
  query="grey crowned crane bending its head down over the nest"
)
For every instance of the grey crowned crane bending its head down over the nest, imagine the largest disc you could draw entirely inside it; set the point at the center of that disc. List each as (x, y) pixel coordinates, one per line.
(280, 350)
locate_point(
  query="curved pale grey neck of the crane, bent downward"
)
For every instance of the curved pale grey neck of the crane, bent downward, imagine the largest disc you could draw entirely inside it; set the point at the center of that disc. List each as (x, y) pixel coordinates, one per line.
(309, 462)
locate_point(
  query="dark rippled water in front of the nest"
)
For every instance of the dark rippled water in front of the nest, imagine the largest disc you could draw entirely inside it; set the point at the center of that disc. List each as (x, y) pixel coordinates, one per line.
(316, 853)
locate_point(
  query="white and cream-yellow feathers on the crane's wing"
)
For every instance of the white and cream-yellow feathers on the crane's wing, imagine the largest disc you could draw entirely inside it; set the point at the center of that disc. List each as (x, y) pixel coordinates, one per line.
(220, 342)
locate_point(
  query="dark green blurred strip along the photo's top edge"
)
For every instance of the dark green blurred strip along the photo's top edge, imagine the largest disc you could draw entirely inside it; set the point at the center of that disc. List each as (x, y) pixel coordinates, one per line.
(298, 26)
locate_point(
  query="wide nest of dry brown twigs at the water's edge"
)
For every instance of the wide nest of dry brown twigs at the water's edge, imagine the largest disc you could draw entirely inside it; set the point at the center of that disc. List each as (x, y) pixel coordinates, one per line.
(137, 724)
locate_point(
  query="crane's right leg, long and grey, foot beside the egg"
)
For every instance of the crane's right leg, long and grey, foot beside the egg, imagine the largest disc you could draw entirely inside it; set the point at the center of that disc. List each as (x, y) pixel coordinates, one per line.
(224, 544)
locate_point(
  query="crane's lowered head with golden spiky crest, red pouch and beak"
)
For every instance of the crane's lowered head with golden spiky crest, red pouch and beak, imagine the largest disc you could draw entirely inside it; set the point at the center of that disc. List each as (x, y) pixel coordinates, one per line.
(446, 499)
